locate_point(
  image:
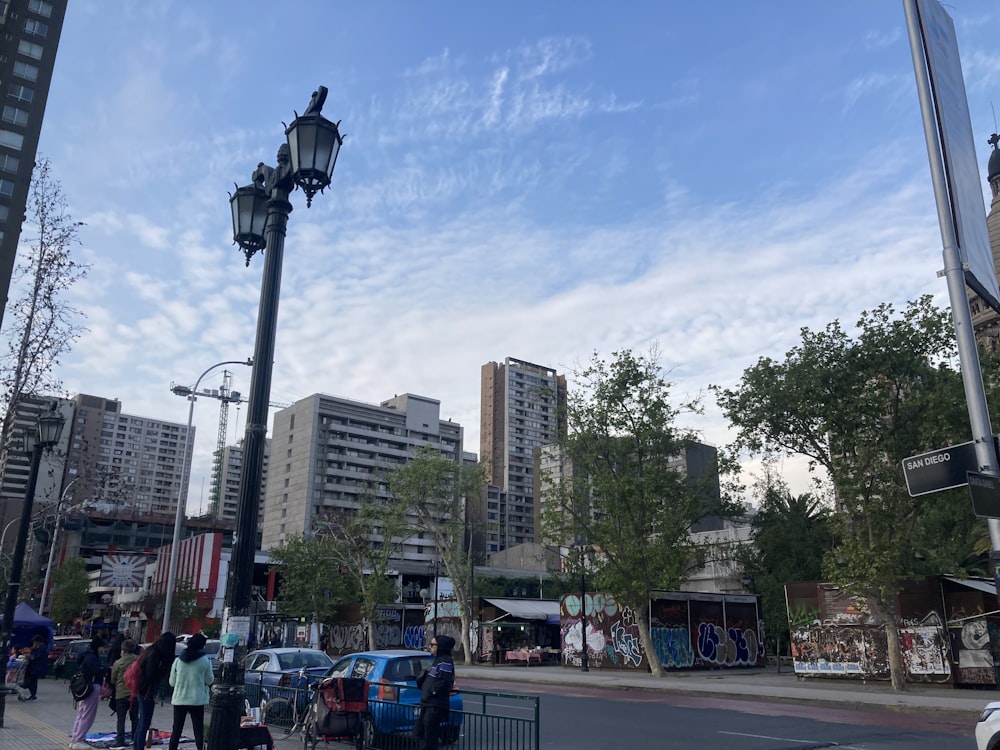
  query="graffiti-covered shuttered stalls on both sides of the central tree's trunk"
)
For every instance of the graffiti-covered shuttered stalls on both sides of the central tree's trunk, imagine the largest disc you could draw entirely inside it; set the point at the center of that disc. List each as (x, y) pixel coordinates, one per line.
(688, 631)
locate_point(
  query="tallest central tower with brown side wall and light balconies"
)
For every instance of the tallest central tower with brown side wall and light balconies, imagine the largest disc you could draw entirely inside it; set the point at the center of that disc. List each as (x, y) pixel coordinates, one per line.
(521, 409)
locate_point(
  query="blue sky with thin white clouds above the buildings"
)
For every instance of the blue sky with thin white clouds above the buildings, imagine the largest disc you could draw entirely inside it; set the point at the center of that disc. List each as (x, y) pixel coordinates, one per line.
(536, 180)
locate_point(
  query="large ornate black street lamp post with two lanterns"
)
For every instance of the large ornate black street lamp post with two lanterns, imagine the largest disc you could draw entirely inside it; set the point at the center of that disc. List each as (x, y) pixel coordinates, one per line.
(260, 219)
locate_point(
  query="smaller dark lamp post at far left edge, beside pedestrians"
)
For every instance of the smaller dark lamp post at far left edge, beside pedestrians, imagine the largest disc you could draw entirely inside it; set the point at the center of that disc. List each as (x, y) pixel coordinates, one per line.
(45, 435)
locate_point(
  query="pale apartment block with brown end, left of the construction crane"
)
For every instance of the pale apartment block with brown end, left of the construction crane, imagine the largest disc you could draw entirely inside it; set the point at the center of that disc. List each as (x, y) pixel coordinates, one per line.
(126, 461)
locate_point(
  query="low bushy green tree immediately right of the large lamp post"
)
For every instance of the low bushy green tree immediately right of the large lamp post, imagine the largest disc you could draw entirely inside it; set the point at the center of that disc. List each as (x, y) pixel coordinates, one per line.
(309, 582)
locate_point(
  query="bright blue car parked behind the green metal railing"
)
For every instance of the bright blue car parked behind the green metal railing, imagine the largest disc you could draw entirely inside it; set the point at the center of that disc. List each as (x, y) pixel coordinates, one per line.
(394, 698)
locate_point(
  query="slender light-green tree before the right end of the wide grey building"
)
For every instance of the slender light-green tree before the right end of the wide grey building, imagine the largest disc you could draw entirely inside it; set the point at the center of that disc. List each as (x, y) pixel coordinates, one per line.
(438, 491)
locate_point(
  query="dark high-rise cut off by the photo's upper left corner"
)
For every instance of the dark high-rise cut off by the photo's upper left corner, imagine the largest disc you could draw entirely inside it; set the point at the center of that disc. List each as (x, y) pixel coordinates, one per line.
(28, 43)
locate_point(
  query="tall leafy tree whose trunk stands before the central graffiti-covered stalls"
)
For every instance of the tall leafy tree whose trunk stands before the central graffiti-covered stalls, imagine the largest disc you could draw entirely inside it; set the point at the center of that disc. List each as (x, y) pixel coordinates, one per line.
(628, 498)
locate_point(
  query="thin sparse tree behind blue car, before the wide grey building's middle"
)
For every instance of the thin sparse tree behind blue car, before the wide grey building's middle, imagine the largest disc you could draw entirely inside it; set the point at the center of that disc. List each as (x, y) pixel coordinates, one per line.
(365, 541)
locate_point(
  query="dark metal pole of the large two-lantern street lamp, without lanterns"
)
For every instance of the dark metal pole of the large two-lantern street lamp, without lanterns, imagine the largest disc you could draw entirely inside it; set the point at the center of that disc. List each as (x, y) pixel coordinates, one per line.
(227, 694)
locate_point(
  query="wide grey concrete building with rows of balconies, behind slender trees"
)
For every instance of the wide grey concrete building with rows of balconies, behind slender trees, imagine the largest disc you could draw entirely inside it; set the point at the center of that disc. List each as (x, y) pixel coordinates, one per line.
(327, 452)
